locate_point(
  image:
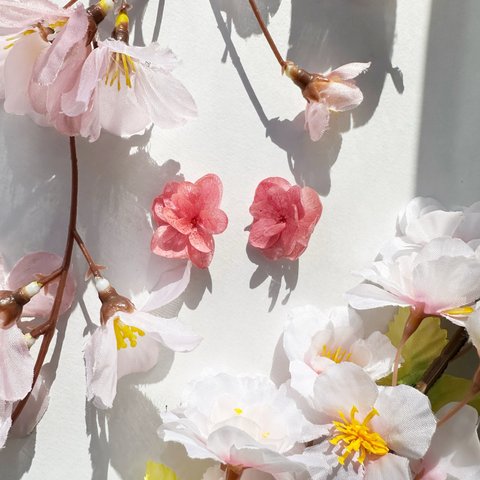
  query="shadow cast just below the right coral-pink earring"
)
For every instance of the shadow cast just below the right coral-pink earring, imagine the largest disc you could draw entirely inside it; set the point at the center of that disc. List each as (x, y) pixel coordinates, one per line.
(280, 272)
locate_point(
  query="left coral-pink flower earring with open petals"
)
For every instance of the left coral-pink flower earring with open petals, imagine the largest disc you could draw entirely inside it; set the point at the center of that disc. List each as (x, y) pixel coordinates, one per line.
(188, 215)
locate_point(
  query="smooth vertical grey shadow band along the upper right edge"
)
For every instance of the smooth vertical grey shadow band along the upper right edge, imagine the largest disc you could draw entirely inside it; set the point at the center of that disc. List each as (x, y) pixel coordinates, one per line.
(448, 155)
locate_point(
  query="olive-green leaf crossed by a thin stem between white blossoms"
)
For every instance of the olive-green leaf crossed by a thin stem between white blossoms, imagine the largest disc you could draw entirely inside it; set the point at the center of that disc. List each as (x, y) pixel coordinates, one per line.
(420, 350)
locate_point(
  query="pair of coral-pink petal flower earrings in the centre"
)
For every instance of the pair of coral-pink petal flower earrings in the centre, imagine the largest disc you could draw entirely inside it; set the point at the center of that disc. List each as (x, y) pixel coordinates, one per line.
(188, 215)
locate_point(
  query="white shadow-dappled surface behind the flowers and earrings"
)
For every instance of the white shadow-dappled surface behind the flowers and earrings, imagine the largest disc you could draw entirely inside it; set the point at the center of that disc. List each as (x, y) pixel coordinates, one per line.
(416, 135)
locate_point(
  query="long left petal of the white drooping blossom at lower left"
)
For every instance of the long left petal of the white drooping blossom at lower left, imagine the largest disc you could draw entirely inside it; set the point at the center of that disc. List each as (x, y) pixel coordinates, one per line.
(101, 366)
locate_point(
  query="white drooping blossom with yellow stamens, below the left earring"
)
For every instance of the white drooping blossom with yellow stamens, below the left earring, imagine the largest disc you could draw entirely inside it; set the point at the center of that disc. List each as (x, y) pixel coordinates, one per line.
(127, 341)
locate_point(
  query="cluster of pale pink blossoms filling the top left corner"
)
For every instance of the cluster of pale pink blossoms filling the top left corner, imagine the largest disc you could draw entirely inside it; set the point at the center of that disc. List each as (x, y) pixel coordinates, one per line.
(53, 74)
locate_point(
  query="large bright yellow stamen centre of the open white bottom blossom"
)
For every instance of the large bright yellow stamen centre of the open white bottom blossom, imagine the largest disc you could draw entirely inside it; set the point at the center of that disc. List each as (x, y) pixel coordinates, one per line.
(354, 436)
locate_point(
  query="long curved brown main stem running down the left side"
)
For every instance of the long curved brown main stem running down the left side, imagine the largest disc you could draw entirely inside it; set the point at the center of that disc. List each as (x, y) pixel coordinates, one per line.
(67, 258)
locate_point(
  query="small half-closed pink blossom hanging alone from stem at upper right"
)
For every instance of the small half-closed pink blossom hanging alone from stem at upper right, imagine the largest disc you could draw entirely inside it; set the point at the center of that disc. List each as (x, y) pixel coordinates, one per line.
(333, 91)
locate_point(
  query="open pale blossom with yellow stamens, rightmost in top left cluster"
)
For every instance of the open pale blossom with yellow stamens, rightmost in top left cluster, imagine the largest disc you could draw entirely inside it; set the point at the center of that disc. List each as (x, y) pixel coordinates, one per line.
(128, 88)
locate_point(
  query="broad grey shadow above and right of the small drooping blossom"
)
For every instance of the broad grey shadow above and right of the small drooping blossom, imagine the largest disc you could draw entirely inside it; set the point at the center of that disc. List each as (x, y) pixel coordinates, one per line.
(329, 33)
